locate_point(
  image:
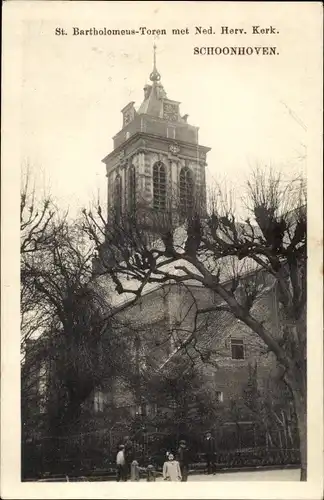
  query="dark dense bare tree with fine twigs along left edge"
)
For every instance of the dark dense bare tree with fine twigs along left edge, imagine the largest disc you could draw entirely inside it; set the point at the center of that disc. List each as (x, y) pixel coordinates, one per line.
(70, 342)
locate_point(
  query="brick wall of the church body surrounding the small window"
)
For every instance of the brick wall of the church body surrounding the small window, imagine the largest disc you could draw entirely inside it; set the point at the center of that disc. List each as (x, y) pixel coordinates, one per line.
(172, 308)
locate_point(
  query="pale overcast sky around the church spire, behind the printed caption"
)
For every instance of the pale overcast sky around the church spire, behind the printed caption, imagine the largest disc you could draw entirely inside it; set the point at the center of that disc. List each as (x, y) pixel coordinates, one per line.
(250, 109)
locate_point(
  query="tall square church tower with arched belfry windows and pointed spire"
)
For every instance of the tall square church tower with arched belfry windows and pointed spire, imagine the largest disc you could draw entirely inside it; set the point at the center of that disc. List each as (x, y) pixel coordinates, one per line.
(157, 164)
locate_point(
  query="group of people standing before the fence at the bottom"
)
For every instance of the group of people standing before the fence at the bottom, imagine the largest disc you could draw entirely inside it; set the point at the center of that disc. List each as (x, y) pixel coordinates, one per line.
(175, 467)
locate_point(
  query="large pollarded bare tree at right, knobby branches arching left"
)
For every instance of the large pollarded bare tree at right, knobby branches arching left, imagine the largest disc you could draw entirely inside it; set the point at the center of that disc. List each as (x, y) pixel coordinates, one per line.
(225, 255)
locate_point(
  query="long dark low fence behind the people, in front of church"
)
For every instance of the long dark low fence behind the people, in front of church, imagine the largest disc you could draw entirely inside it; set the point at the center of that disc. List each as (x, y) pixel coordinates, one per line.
(97, 450)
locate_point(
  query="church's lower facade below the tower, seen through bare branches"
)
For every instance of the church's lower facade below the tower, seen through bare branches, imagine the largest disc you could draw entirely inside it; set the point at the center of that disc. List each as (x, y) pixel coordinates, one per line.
(225, 348)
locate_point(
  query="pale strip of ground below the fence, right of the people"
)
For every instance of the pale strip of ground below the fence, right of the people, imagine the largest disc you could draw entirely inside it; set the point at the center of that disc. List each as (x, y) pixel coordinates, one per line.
(269, 475)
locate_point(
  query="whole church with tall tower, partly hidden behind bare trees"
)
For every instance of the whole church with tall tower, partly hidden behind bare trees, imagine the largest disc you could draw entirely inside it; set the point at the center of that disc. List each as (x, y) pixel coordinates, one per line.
(189, 374)
